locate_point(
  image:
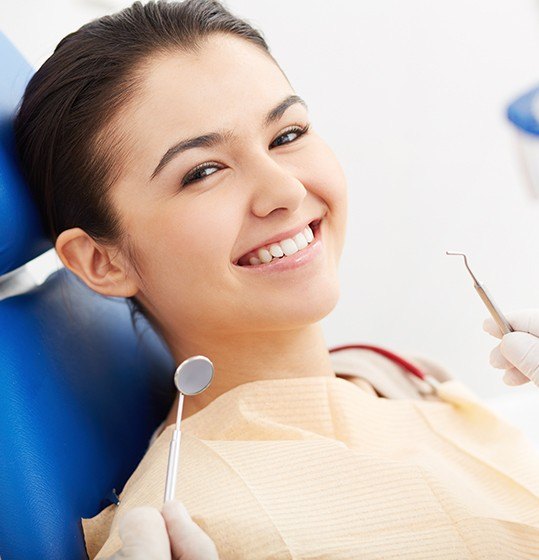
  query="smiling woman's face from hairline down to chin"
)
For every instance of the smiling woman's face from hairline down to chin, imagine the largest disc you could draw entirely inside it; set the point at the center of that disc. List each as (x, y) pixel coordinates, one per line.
(263, 180)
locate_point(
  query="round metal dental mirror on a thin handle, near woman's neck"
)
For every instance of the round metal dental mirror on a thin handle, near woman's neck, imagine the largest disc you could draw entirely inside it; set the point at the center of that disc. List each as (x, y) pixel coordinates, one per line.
(192, 376)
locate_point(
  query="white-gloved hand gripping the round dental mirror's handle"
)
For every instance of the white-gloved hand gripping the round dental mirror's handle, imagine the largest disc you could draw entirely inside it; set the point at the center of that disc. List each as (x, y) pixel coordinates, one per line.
(148, 534)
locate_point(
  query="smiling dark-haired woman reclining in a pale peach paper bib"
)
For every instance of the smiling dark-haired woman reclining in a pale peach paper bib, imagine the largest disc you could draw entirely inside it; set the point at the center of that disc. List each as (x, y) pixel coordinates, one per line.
(174, 165)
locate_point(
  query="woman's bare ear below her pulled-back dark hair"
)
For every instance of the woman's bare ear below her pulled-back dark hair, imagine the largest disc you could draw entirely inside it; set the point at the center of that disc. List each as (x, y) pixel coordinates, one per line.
(100, 267)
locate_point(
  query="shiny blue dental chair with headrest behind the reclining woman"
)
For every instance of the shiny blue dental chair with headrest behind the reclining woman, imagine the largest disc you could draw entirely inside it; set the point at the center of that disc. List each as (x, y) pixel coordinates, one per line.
(81, 390)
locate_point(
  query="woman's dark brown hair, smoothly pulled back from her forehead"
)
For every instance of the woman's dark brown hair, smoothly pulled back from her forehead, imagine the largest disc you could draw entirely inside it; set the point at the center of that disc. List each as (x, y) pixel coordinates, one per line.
(66, 156)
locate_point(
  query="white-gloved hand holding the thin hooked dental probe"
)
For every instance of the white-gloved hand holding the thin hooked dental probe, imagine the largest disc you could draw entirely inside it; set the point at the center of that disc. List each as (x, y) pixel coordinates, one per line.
(518, 352)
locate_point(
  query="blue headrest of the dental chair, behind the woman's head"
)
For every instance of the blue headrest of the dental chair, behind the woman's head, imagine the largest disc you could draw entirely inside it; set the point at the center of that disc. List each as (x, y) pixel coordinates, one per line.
(22, 236)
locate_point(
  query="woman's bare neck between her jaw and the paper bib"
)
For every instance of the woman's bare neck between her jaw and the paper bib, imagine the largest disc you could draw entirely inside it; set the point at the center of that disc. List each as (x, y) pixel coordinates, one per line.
(240, 359)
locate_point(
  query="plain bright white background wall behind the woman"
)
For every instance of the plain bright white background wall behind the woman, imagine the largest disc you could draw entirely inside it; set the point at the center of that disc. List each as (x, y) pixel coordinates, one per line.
(411, 96)
